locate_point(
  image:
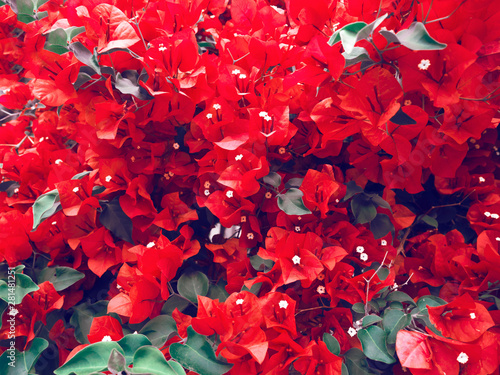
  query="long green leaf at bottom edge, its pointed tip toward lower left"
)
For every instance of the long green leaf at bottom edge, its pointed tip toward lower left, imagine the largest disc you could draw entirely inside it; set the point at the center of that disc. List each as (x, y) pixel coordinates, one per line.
(92, 358)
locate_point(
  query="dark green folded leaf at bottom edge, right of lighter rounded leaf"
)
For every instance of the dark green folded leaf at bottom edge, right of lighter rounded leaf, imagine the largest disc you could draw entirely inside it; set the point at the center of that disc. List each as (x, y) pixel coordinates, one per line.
(197, 355)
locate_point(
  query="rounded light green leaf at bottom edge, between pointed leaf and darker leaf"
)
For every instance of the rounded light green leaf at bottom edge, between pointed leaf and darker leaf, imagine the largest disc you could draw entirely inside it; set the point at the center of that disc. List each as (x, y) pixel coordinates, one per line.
(149, 359)
